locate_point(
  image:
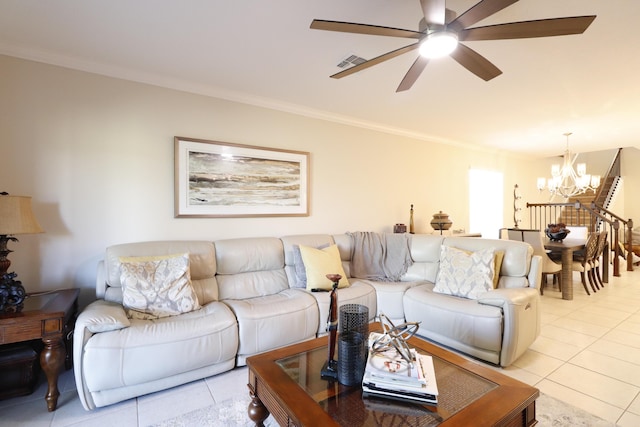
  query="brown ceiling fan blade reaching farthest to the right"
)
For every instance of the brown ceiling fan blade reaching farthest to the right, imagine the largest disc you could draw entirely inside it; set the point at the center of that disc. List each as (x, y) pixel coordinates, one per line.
(529, 29)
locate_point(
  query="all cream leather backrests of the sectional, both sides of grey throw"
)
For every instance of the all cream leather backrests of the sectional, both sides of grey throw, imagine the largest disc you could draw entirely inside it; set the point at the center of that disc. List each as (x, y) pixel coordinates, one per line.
(251, 267)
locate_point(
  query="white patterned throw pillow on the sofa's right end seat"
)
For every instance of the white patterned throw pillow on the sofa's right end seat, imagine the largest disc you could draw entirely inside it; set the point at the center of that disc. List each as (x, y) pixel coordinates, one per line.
(465, 274)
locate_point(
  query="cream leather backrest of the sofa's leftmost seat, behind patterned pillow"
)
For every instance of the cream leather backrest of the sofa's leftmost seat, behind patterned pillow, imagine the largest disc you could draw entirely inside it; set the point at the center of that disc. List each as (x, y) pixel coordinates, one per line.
(202, 265)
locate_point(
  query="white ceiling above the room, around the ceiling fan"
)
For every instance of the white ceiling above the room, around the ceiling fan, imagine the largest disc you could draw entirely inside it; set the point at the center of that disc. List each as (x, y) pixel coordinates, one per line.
(262, 52)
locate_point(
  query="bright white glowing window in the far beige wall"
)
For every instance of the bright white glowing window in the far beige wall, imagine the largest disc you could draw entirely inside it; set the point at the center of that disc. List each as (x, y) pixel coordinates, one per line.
(486, 202)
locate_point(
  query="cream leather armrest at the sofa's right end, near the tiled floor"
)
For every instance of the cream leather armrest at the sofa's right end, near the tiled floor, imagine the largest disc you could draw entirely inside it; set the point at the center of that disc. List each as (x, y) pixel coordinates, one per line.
(521, 311)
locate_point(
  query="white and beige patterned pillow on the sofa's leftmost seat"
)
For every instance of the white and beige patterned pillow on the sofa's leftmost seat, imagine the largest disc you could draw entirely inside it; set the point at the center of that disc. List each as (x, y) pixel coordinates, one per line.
(159, 286)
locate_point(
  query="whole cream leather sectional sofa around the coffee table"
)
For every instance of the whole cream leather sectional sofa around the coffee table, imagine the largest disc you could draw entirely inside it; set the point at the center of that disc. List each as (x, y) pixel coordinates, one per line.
(250, 304)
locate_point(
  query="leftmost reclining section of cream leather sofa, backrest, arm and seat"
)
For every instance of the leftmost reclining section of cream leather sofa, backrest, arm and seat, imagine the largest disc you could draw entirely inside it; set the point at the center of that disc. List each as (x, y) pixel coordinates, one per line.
(115, 360)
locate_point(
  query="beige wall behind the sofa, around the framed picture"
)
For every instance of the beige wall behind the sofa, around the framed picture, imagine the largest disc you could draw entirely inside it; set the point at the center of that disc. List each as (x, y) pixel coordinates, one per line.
(96, 155)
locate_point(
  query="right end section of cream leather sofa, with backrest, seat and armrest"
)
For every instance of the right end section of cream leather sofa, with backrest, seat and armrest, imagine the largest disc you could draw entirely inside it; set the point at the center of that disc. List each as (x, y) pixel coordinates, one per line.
(501, 324)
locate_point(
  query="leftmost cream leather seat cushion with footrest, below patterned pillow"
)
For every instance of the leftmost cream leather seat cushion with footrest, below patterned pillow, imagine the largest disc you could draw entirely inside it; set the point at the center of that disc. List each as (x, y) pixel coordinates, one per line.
(152, 350)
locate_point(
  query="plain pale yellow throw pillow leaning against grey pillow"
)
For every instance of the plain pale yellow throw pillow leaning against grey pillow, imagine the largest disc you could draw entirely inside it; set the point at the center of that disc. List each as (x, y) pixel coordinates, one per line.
(320, 262)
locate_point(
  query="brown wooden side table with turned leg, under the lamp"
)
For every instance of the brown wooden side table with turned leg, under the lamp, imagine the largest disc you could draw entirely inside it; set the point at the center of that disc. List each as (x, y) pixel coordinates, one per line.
(49, 317)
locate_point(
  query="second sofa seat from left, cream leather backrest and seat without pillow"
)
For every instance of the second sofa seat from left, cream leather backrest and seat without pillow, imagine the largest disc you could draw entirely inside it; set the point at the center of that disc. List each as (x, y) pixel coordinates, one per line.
(252, 281)
